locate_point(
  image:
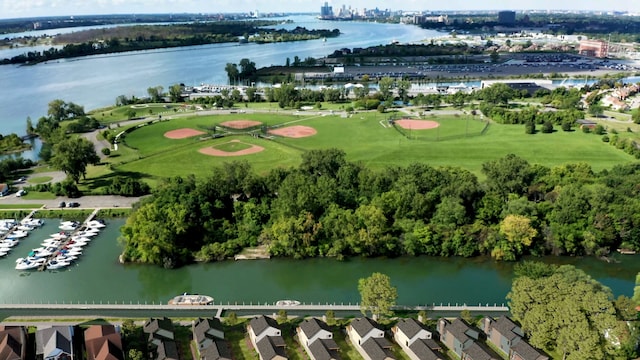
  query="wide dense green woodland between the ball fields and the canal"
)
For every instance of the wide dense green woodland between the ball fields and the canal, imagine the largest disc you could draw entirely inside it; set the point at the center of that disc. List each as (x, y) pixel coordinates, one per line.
(330, 207)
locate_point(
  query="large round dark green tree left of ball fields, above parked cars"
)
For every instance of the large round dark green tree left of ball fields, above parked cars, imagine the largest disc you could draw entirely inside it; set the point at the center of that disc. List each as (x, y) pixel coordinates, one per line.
(73, 155)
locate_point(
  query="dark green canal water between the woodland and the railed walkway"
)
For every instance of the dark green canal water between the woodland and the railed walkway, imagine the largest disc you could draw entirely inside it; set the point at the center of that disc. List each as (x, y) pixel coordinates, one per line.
(98, 277)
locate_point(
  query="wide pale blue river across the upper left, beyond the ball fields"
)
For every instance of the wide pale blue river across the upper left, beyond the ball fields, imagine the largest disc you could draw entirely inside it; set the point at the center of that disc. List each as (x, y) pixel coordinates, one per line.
(96, 81)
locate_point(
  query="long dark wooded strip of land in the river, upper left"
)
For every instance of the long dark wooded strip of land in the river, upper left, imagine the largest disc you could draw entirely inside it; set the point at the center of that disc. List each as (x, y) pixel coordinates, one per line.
(146, 37)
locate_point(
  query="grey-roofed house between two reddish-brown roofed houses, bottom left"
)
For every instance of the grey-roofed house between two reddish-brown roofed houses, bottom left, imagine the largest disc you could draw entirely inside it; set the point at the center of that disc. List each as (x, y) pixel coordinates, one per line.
(55, 343)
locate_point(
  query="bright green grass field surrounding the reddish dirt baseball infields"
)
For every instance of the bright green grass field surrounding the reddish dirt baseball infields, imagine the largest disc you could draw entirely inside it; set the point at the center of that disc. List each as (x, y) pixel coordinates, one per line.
(365, 137)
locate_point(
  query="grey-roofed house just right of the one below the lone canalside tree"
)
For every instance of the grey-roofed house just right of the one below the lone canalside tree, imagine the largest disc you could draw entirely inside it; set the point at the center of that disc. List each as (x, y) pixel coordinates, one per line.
(415, 340)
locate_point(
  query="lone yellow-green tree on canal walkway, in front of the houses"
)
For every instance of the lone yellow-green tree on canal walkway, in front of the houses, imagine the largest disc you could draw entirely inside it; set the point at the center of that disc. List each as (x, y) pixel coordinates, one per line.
(378, 295)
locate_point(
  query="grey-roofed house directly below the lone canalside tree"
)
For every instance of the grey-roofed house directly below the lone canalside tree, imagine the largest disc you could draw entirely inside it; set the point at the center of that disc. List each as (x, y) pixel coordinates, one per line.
(369, 340)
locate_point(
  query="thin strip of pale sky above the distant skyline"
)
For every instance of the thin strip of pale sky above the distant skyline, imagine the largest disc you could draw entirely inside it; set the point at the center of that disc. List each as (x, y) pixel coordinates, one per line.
(33, 8)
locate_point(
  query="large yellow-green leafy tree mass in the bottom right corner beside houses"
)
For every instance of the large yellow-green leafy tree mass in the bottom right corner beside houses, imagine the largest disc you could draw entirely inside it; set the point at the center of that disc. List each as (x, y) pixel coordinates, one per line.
(568, 312)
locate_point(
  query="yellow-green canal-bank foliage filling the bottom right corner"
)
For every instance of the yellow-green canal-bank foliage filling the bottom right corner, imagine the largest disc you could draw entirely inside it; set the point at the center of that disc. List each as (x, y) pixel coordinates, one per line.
(571, 315)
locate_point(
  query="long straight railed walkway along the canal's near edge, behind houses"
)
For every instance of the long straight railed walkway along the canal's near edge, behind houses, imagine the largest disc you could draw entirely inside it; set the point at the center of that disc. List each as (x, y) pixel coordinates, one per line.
(219, 309)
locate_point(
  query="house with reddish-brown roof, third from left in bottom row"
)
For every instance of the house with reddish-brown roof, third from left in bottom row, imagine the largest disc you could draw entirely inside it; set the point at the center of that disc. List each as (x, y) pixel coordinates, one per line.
(103, 342)
